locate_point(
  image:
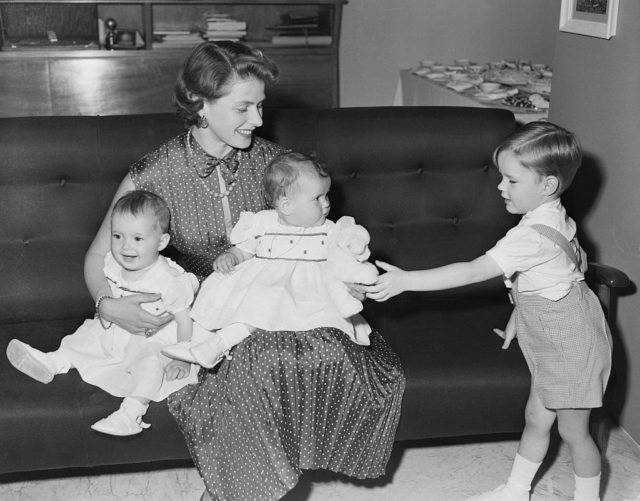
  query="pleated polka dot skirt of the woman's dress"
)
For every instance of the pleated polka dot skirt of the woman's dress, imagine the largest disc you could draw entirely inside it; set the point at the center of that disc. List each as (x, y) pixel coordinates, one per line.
(291, 401)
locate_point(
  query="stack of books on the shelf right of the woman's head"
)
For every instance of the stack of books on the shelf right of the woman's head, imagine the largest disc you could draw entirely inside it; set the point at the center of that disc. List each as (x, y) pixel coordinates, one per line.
(302, 27)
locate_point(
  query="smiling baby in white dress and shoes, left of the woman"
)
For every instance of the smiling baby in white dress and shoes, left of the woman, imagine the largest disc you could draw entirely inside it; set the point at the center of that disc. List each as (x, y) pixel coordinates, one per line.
(107, 356)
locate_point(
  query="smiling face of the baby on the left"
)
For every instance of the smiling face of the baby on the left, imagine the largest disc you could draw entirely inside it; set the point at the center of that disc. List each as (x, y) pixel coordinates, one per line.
(136, 240)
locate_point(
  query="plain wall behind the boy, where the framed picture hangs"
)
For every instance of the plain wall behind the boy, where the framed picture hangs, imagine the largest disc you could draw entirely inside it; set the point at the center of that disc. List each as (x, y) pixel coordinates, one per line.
(596, 93)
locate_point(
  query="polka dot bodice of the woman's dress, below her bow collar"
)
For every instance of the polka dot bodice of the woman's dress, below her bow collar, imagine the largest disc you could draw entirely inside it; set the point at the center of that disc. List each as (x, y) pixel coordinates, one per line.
(198, 229)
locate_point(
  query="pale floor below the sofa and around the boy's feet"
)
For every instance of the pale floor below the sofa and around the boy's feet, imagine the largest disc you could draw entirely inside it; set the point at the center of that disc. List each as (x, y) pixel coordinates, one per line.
(446, 472)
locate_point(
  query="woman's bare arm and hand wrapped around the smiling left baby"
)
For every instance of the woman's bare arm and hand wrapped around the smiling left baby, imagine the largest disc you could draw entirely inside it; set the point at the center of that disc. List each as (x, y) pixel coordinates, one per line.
(126, 311)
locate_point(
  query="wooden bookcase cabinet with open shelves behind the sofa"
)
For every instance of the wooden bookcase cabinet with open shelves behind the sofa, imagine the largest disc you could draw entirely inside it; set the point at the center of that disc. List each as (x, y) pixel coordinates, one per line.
(77, 76)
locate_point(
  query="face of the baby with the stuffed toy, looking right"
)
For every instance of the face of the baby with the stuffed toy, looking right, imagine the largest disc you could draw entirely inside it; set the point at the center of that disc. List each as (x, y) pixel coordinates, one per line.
(309, 201)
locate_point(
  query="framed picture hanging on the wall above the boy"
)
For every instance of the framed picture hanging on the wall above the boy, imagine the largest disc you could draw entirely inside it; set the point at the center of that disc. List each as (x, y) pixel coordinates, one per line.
(596, 18)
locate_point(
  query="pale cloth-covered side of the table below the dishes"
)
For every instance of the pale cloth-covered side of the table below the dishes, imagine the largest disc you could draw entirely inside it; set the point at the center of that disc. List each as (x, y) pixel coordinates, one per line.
(416, 90)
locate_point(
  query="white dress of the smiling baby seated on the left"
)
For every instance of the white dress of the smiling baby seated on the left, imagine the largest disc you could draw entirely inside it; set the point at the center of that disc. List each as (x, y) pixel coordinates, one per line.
(124, 364)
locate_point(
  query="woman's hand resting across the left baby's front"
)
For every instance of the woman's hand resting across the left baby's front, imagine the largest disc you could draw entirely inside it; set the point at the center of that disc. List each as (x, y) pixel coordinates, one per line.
(126, 312)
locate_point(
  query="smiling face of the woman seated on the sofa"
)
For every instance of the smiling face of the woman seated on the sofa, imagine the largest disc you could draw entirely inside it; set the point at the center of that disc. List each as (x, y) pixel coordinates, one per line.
(233, 117)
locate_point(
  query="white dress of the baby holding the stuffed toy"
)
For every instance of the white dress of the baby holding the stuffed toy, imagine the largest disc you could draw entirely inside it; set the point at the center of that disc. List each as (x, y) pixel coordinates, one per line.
(282, 288)
